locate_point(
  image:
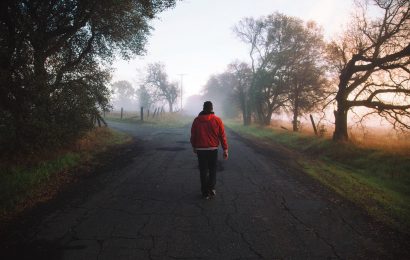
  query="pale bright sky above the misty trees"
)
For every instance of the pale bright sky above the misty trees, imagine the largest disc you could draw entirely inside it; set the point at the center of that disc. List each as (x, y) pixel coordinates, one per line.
(195, 38)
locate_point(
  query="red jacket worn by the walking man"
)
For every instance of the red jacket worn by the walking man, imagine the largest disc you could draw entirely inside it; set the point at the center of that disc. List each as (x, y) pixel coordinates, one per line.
(207, 131)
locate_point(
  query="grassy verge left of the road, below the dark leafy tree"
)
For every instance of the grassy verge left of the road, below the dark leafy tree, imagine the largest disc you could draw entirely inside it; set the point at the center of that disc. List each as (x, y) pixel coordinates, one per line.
(24, 184)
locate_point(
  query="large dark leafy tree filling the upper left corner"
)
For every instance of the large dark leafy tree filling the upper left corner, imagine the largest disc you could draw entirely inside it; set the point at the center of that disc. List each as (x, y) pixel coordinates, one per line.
(53, 62)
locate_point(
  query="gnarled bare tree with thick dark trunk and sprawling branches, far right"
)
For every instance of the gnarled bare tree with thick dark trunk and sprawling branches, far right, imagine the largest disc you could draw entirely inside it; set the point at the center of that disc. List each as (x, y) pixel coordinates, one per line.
(372, 59)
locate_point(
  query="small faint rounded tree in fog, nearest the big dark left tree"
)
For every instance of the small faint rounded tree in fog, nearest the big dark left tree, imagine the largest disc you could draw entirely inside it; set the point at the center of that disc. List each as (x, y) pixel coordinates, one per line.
(125, 94)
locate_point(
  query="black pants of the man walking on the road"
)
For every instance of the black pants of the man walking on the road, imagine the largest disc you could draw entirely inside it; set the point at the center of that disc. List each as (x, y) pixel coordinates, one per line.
(207, 167)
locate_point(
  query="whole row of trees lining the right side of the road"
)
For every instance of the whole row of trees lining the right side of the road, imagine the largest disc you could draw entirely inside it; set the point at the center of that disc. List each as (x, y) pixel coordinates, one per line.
(293, 70)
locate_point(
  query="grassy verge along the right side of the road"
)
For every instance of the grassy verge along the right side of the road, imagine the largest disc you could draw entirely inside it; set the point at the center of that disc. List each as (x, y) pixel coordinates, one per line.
(376, 179)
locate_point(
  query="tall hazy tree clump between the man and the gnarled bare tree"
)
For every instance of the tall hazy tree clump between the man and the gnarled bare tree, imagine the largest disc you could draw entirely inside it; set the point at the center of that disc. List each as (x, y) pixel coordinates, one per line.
(285, 63)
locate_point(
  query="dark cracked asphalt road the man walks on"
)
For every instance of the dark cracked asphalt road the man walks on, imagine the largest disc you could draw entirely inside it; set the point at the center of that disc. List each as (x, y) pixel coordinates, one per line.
(151, 208)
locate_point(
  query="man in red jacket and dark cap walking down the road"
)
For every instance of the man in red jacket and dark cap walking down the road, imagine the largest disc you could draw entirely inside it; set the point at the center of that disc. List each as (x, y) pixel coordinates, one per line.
(207, 132)
